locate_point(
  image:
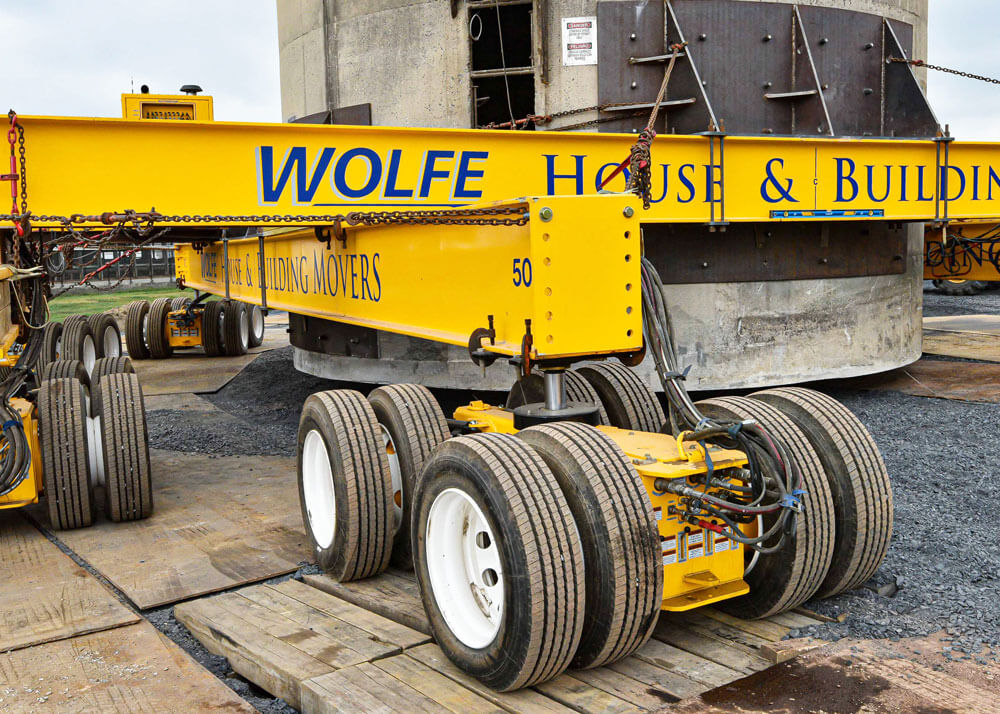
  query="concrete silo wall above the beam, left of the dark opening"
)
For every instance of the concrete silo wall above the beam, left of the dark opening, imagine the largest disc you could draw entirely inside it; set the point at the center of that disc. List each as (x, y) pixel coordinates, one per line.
(408, 58)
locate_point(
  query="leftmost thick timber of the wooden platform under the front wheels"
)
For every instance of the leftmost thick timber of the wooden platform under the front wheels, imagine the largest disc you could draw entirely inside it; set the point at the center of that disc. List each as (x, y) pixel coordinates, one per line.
(267, 661)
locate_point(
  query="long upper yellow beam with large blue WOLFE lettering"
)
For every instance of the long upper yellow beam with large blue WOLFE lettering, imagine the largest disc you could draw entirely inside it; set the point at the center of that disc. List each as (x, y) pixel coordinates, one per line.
(90, 166)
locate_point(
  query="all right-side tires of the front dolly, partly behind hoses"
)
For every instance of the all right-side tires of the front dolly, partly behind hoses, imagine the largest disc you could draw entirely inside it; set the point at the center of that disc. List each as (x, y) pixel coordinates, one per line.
(843, 534)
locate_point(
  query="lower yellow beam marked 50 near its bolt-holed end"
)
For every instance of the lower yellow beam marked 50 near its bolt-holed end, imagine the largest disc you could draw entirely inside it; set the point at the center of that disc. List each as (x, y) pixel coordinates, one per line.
(573, 271)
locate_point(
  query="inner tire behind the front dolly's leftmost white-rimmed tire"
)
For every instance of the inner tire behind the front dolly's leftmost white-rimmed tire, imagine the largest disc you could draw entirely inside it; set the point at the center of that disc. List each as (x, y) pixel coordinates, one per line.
(411, 425)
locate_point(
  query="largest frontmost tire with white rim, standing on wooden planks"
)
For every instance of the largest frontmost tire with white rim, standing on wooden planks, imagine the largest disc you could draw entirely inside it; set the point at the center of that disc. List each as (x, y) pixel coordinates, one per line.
(498, 560)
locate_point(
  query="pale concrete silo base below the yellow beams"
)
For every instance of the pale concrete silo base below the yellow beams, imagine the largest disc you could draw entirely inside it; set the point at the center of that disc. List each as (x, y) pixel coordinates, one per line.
(733, 335)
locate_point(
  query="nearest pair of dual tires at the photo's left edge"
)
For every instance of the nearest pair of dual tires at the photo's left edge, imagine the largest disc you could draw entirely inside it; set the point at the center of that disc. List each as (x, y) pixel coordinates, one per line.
(92, 432)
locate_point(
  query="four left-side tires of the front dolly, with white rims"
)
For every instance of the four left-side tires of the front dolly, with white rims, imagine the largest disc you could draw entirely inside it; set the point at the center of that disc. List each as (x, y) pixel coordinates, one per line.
(533, 552)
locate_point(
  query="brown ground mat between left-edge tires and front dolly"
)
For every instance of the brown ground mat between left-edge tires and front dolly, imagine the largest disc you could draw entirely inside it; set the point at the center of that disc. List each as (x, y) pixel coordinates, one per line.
(219, 523)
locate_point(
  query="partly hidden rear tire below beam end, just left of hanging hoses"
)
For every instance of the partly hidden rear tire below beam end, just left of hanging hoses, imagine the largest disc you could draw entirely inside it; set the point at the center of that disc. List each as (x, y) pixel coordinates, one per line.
(629, 402)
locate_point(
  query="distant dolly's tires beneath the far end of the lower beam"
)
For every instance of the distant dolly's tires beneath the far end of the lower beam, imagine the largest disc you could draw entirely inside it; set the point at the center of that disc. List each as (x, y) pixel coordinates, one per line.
(229, 327)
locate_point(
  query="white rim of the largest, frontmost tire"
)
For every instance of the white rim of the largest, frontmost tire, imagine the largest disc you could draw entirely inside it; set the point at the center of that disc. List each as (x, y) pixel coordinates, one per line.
(463, 563)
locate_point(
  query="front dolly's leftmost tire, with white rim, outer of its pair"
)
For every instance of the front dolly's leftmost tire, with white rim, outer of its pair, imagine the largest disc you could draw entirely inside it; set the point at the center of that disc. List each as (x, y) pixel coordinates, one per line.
(345, 488)
